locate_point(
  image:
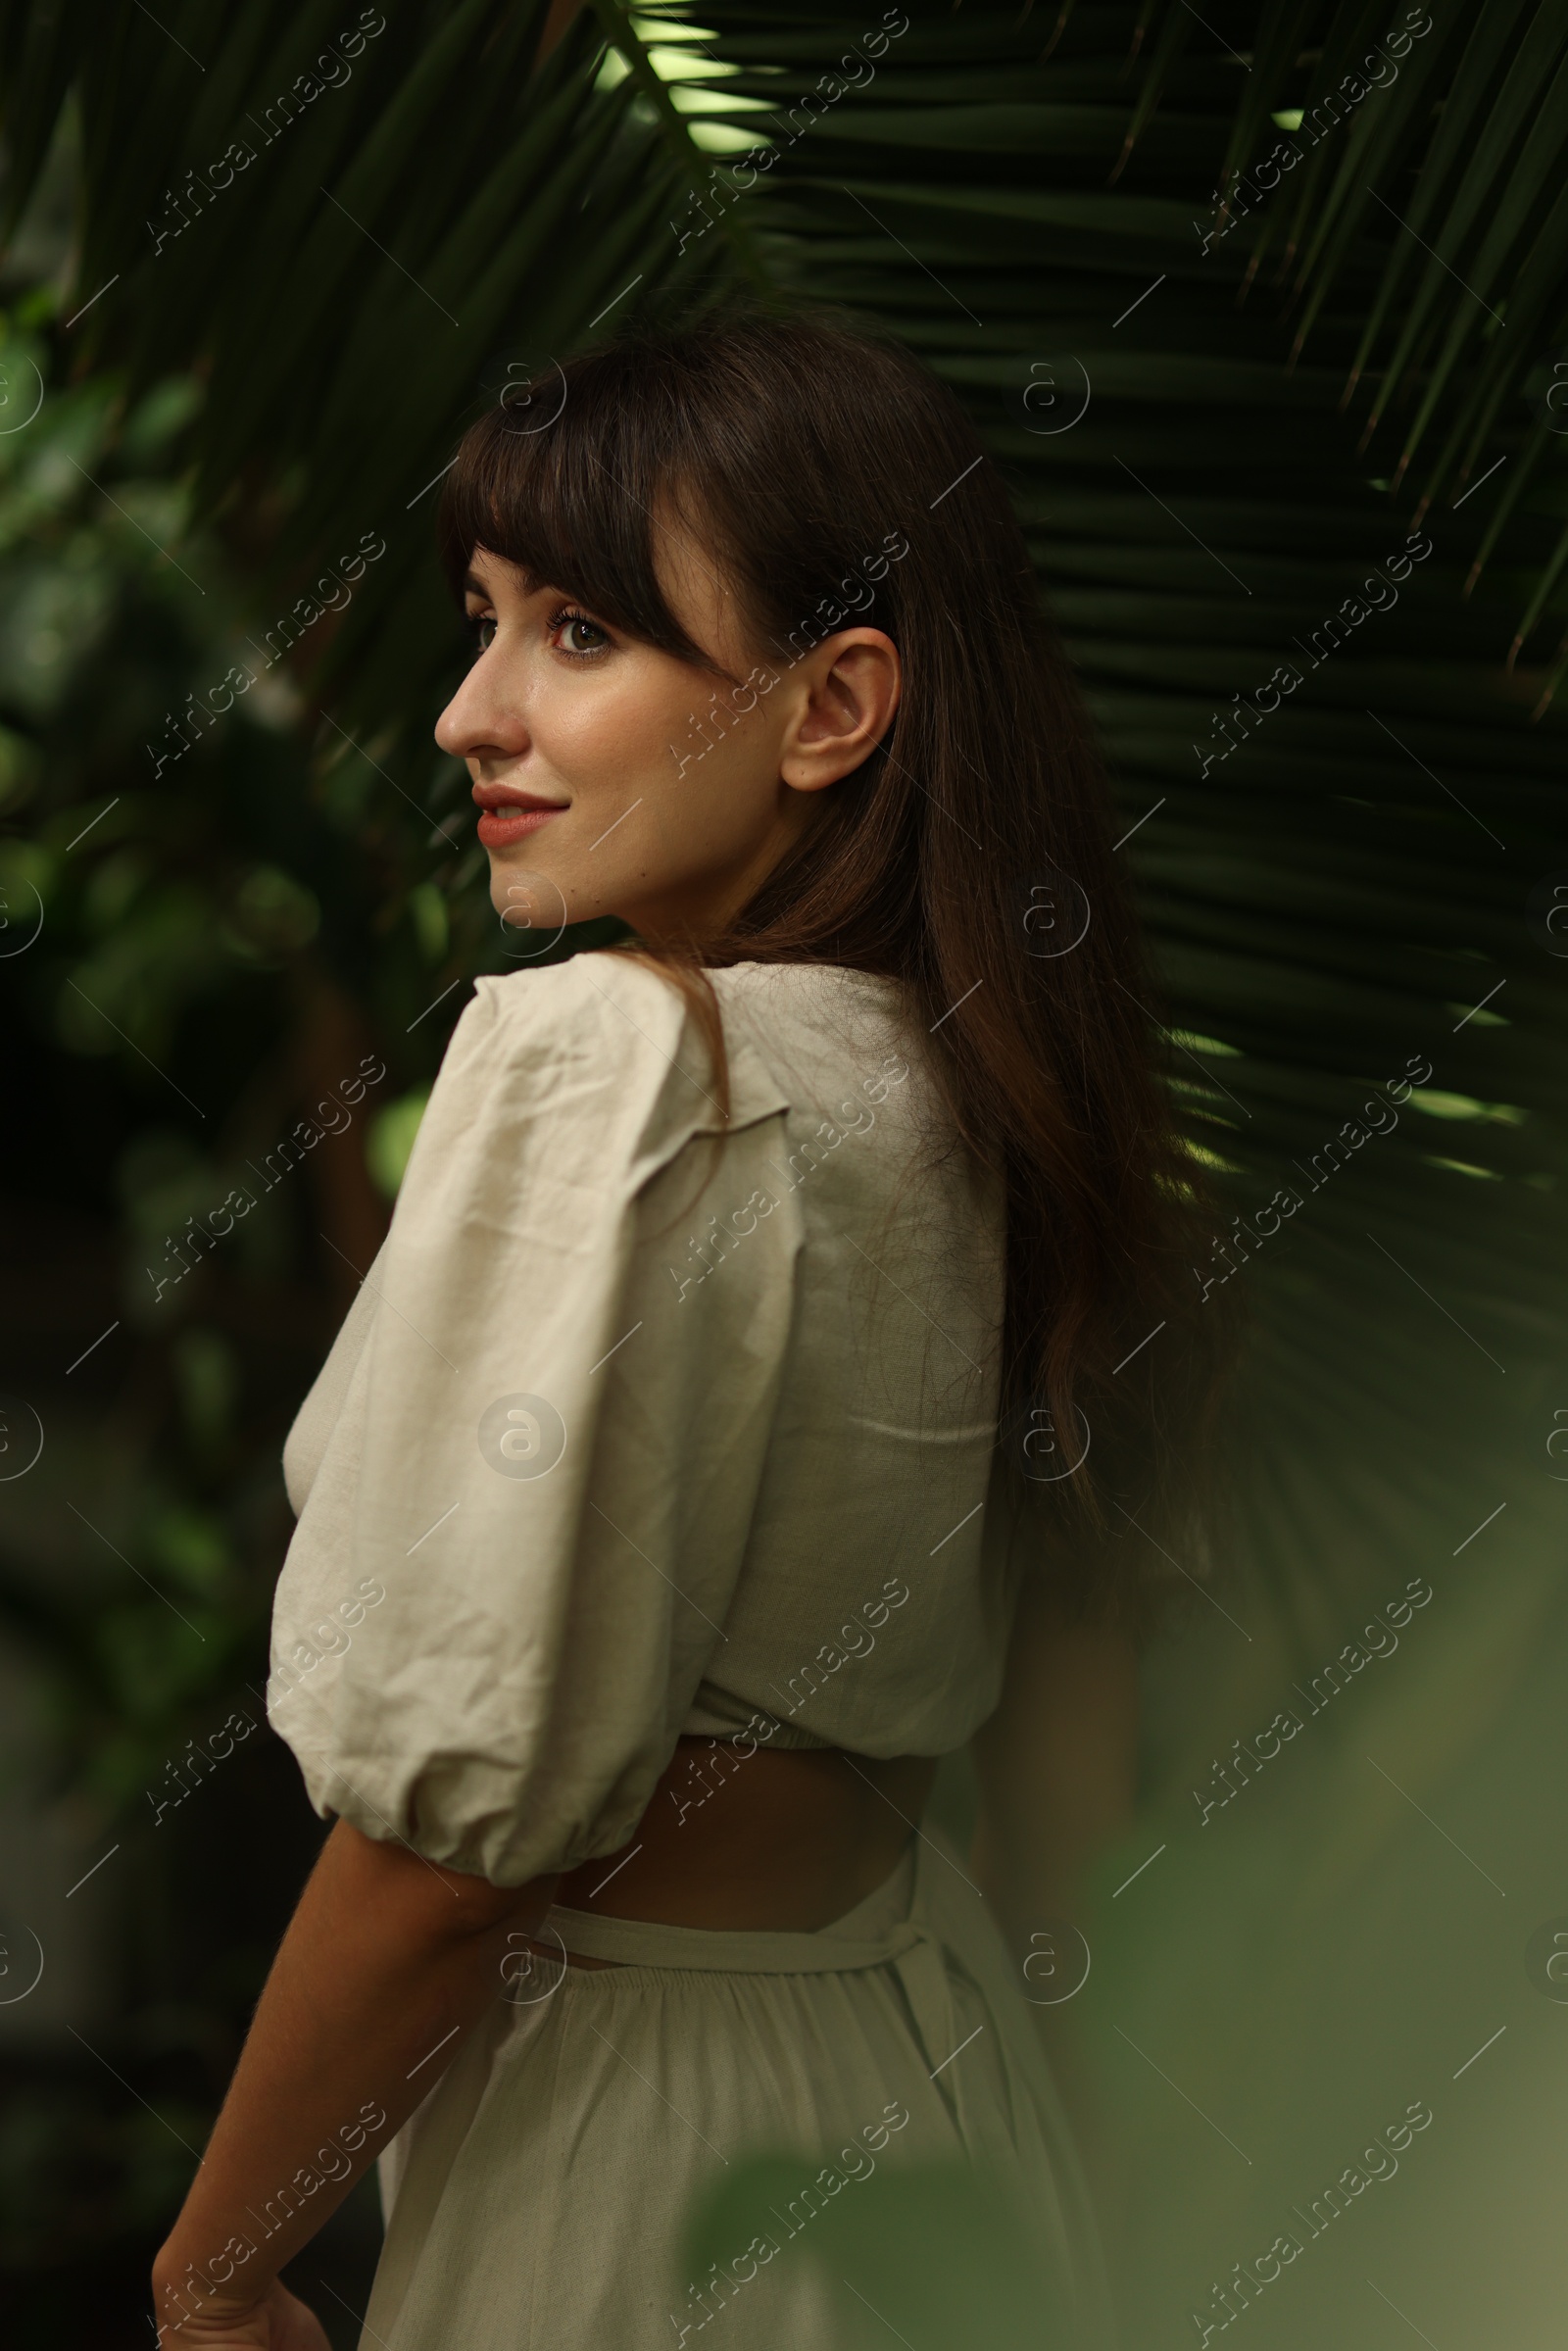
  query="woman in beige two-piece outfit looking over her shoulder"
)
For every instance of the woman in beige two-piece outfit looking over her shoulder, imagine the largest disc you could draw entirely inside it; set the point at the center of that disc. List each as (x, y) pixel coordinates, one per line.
(709, 1449)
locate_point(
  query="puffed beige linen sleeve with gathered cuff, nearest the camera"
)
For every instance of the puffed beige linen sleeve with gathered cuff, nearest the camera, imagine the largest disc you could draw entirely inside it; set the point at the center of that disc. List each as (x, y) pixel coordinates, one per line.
(528, 1513)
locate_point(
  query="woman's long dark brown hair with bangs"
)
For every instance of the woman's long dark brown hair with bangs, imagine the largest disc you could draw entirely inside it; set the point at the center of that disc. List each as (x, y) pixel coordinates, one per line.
(836, 481)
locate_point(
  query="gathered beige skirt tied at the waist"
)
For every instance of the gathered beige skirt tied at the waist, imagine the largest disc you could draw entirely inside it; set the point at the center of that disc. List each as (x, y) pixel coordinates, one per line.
(540, 2197)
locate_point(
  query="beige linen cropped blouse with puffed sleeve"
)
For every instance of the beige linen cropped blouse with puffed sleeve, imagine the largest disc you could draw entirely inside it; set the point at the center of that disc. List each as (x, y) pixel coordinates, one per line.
(648, 1424)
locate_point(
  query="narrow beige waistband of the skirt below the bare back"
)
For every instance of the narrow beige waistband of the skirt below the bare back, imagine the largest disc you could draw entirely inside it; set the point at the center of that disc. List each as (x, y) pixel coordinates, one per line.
(869, 1936)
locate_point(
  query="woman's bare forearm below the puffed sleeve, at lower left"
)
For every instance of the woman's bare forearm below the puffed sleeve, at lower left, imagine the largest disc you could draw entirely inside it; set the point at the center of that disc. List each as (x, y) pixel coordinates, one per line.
(387, 1967)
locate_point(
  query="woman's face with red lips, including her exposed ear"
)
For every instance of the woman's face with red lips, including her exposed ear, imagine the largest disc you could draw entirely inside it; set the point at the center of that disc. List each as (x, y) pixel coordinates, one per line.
(598, 789)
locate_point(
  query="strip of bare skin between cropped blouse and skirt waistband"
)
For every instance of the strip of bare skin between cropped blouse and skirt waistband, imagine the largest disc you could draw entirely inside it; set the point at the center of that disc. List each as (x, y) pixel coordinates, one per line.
(746, 1837)
